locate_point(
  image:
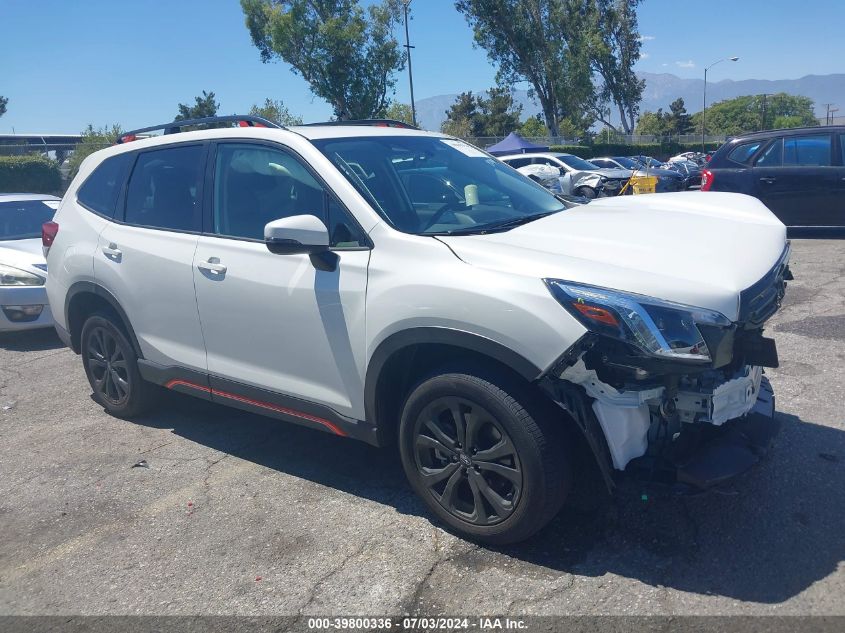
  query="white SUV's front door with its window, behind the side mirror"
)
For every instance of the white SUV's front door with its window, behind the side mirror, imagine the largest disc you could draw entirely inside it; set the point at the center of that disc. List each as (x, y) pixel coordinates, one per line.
(277, 322)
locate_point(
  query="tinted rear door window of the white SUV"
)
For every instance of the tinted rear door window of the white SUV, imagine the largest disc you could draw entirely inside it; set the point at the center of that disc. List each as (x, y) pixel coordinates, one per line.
(164, 189)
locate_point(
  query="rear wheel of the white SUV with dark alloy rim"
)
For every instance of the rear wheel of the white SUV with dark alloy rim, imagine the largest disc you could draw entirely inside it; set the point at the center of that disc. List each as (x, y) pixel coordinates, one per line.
(111, 365)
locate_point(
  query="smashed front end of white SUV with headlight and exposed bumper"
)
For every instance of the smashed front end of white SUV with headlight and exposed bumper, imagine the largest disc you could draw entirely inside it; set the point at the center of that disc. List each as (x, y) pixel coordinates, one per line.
(668, 393)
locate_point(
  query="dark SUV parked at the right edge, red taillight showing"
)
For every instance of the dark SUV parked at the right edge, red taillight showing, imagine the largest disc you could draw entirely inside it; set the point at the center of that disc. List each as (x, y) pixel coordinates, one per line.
(798, 173)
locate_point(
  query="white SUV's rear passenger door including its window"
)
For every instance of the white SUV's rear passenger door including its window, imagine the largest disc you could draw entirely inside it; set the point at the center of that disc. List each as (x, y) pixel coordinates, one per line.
(145, 258)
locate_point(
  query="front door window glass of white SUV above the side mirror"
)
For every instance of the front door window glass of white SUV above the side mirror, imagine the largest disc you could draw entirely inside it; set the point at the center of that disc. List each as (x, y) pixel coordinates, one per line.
(256, 184)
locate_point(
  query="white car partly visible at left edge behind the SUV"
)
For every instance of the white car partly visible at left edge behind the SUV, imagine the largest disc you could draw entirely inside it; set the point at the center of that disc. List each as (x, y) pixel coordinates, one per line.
(23, 269)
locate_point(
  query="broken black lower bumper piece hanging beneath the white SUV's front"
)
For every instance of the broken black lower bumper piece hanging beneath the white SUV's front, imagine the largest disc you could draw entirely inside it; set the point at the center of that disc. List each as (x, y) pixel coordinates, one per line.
(732, 448)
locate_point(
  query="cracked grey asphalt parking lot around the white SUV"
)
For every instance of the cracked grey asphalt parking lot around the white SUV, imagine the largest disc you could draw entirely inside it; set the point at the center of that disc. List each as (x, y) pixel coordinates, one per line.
(237, 514)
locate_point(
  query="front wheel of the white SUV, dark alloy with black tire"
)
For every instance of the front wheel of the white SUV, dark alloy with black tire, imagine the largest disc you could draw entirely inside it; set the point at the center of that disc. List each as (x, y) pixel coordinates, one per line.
(479, 459)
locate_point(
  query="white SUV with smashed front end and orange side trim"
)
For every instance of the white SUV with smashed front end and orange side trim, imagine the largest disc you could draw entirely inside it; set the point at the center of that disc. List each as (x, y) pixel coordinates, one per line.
(403, 287)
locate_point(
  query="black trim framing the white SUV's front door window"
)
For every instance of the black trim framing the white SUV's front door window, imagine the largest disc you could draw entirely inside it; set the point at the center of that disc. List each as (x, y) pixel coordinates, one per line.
(208, 201)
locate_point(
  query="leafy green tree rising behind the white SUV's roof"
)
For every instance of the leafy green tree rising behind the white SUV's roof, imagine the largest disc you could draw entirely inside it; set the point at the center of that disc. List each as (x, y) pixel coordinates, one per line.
(346, 53)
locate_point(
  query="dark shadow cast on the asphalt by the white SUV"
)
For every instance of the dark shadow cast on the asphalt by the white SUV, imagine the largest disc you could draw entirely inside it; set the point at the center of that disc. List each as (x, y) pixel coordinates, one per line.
(770, 537)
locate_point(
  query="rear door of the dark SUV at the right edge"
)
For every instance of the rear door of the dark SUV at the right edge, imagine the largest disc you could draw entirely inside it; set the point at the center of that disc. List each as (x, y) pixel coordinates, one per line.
(796, 178)
